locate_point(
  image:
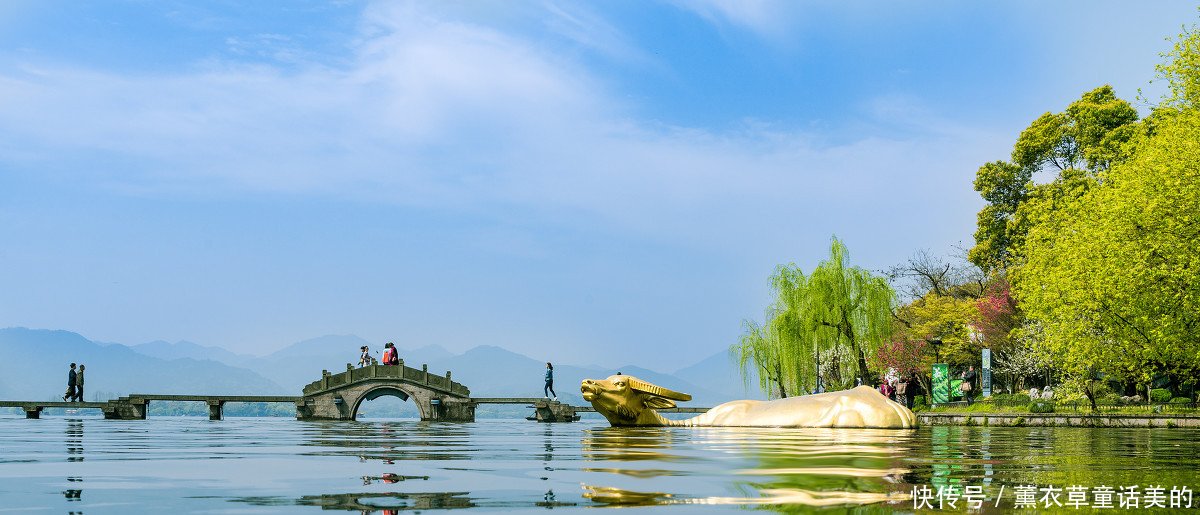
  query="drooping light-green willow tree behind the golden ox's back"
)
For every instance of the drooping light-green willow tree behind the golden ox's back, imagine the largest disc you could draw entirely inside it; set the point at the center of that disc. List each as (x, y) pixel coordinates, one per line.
(825, 325)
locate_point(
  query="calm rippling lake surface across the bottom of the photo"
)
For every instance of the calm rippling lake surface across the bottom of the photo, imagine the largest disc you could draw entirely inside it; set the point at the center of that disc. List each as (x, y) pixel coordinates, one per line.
(260, 465)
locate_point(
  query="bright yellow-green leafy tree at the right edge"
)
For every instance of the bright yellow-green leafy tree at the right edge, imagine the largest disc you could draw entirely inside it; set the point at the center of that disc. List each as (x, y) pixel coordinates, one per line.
(1111, 271)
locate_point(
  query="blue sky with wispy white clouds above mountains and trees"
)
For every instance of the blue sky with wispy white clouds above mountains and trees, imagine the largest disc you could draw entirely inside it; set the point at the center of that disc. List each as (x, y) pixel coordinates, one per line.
(603, 183)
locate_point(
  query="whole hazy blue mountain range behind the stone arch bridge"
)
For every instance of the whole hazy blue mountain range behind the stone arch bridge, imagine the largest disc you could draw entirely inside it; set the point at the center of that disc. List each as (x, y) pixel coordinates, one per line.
(183, 367)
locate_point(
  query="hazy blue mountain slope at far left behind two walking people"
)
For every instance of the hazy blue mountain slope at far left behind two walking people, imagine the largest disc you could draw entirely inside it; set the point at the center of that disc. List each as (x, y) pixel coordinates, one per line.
(37, 369)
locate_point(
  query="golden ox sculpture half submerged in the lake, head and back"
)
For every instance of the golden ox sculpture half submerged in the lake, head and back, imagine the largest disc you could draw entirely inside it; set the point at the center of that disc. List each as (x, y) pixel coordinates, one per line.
(629, 402)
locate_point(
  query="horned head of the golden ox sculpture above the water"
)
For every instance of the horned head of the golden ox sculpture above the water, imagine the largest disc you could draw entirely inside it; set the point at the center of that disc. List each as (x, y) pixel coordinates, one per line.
(627, 400)
